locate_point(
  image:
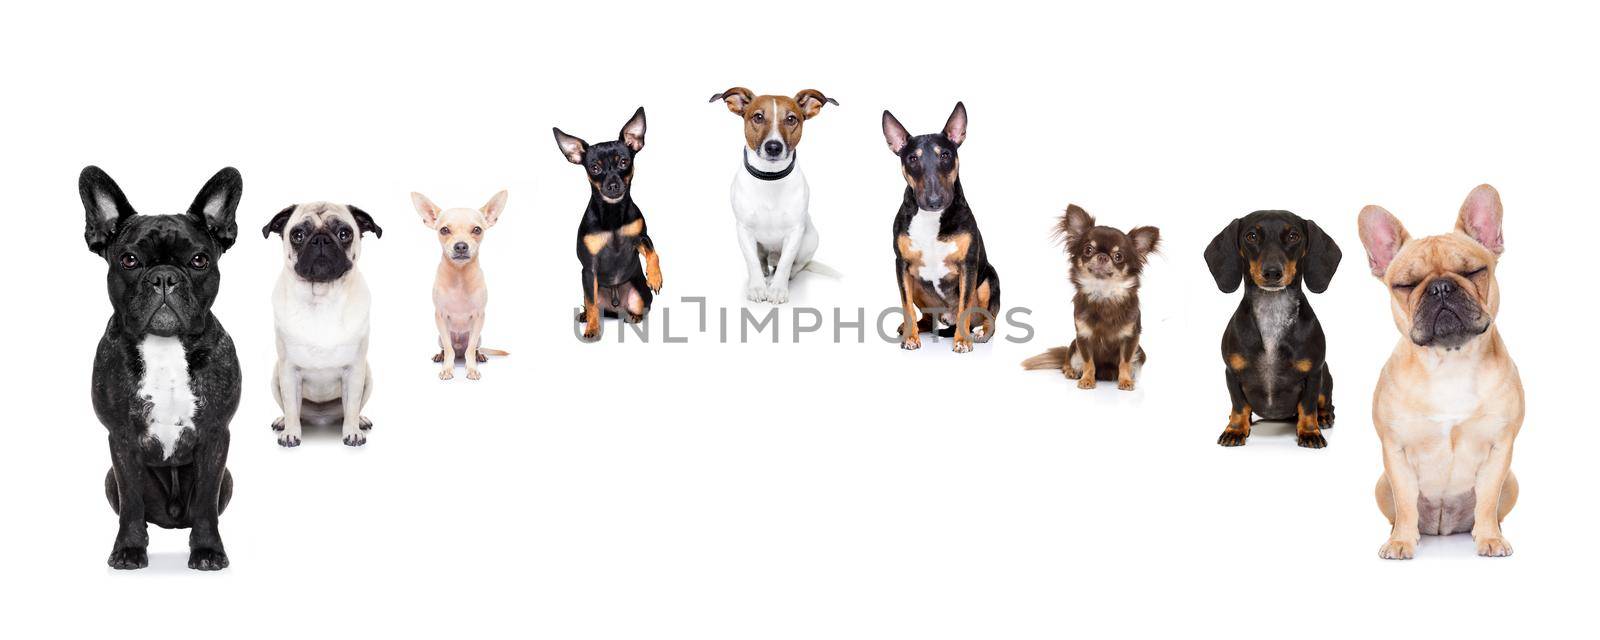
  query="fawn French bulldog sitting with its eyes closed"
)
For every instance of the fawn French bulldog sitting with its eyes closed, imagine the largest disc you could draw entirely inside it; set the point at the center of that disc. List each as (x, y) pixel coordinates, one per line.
(1449, 404)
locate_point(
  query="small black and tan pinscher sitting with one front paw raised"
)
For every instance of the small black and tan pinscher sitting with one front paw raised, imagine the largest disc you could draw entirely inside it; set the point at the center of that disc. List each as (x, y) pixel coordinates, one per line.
(612, 236)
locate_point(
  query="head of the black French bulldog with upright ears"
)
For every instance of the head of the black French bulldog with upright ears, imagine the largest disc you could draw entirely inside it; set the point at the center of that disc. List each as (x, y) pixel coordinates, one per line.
(164, 274)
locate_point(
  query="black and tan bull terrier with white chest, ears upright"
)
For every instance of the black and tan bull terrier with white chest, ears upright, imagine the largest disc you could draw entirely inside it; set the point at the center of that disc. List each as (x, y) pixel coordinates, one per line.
(940, 260)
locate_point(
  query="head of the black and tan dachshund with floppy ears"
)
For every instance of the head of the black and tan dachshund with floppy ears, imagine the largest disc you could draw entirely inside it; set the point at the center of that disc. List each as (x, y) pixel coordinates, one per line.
(1274, 250)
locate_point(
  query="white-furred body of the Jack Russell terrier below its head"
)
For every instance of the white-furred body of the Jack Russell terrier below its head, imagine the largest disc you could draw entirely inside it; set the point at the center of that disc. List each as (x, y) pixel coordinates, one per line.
(774, 217)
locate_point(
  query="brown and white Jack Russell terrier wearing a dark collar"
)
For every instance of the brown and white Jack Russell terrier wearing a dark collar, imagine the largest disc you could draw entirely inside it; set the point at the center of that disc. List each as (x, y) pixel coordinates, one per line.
(770, 194)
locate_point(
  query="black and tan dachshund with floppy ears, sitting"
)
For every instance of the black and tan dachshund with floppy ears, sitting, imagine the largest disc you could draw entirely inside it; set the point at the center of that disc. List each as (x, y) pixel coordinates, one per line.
(1274, 348)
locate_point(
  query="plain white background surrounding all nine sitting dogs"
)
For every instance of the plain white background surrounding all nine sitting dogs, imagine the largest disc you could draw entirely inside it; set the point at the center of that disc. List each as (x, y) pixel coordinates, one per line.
(799, 490)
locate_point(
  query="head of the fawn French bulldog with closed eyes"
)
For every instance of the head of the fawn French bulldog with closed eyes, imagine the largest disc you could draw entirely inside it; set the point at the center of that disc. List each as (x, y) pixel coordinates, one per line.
(1442, 289)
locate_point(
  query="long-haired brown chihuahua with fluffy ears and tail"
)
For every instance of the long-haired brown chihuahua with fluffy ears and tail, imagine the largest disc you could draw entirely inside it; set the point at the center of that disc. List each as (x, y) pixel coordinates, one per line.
(1105, 266)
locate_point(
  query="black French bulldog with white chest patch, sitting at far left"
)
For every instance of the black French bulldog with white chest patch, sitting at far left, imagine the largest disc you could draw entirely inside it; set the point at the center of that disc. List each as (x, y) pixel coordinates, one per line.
(166, 374)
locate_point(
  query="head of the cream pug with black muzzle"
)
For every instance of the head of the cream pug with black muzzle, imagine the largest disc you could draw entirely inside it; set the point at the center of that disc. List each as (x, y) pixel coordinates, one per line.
(322, 241)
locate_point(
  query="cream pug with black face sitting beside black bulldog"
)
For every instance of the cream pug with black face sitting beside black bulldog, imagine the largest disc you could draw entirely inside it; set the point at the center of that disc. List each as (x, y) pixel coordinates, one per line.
(322, 314)
